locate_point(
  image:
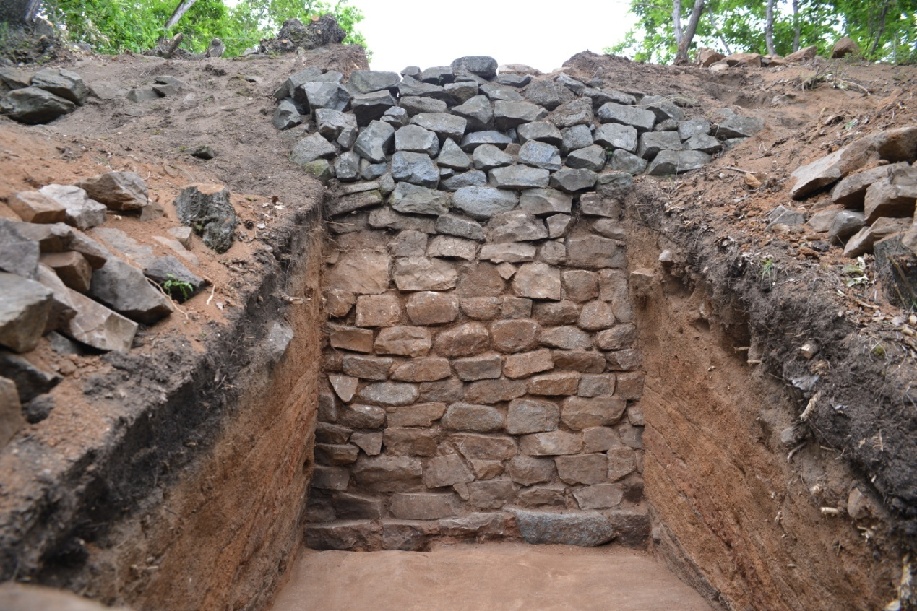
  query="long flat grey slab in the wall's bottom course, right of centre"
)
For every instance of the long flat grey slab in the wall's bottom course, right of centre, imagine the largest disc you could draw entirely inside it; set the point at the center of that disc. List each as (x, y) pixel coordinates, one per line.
(585, 529)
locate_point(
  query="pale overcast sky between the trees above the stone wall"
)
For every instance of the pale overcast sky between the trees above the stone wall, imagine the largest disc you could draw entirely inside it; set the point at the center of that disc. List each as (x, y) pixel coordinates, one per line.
(543, 35)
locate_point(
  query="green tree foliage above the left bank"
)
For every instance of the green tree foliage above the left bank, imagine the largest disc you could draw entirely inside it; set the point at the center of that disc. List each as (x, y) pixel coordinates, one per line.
(115, 26)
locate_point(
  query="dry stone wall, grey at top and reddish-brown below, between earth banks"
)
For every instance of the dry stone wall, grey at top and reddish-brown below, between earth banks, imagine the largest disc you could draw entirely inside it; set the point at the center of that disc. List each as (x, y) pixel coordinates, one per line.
(482, 377)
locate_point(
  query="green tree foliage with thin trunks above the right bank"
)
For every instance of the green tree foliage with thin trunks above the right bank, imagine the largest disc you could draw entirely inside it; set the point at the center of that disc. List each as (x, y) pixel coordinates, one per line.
(885, 30)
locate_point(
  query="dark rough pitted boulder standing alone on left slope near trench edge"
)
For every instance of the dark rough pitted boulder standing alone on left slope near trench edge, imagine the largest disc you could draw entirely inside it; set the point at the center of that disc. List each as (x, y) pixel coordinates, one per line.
(209, 212)
